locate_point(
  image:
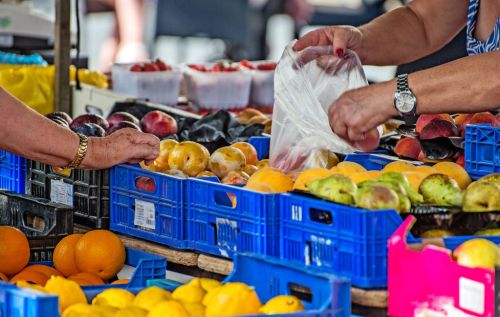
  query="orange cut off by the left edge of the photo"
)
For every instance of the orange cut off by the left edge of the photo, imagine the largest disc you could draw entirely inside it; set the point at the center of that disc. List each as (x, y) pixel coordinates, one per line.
(14, 250)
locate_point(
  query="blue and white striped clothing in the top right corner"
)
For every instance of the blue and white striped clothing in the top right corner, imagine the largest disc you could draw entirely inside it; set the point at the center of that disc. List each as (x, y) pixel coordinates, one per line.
(474, 46)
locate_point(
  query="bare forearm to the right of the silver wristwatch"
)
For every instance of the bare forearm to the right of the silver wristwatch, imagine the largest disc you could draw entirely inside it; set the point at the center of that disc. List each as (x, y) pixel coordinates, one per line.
(470, 84)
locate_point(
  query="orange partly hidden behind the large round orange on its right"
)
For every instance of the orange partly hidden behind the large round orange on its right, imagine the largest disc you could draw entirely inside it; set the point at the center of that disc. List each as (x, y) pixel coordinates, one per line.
(64, 255)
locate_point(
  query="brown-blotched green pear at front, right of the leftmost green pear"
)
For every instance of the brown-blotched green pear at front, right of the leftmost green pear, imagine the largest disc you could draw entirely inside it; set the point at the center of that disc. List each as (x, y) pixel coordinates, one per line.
(377, 197)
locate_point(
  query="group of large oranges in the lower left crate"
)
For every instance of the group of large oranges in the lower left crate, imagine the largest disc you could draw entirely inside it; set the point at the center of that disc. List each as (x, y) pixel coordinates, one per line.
(87, 259)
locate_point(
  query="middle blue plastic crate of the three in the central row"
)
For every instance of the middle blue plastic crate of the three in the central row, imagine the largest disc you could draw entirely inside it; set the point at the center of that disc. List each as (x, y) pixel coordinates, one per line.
(215, 227)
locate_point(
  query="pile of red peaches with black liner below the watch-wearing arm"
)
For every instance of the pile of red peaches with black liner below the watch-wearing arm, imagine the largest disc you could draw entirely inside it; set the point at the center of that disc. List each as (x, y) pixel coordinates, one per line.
(433, 129)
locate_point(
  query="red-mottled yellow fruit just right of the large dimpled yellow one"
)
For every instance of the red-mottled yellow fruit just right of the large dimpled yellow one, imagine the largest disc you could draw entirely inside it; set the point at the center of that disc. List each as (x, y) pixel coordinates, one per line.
(225, 160)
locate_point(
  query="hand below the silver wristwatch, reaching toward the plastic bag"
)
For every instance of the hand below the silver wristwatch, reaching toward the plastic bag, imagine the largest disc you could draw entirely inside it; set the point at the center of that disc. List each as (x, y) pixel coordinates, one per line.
(360, 110)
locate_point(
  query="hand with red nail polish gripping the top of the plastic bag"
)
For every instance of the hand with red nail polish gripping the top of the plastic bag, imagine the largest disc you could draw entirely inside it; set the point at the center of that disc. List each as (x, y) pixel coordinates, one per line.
(341, 38)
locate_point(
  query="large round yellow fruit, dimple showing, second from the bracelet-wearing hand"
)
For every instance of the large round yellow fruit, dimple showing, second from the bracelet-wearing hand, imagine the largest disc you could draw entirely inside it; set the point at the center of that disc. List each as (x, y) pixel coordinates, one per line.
(189, 157)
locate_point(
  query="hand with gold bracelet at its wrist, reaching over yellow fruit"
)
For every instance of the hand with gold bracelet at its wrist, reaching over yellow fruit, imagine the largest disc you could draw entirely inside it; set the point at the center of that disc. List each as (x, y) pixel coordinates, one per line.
(123, 146)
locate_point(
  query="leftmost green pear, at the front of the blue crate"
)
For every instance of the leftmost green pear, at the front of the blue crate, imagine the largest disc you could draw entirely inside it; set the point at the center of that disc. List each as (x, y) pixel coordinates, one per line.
(337, 188)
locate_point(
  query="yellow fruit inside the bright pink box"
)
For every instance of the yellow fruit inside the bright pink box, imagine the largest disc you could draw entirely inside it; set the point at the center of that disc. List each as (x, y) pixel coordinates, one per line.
(480, 253)
